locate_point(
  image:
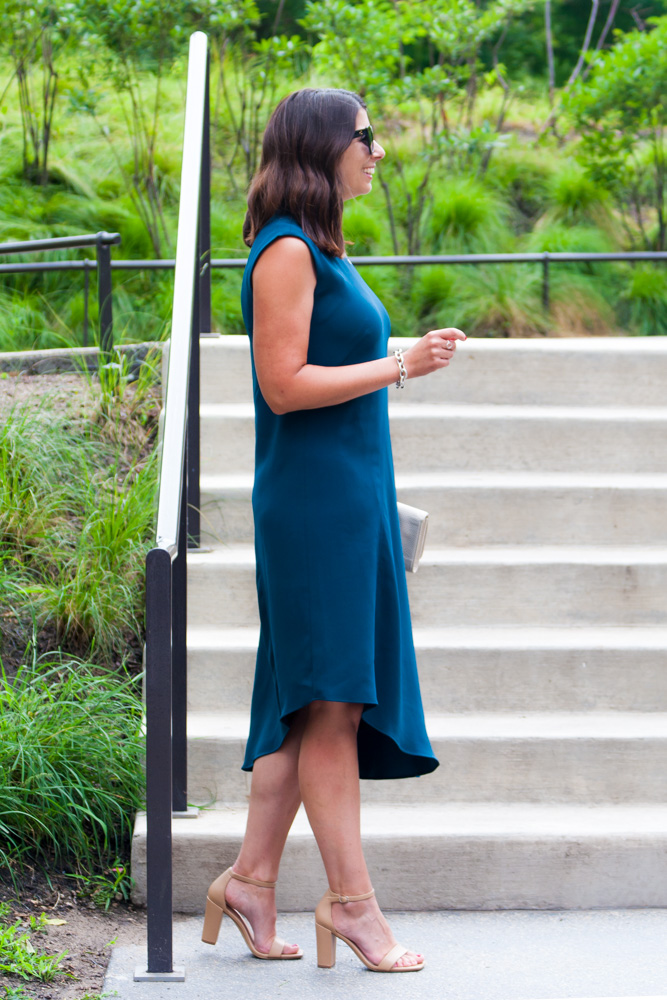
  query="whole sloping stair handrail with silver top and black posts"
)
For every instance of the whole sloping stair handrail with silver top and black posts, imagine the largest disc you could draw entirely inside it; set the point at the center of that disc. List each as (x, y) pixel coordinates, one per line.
(177, 522)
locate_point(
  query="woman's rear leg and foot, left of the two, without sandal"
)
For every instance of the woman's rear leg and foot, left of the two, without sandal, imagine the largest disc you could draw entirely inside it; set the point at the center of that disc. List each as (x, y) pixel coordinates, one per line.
(274, 800)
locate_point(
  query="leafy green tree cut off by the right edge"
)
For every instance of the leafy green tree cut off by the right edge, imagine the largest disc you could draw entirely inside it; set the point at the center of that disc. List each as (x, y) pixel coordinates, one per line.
(621, 115)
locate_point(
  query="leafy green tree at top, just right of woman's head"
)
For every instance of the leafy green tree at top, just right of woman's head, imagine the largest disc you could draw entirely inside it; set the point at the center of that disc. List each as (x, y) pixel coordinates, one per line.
(366, 46)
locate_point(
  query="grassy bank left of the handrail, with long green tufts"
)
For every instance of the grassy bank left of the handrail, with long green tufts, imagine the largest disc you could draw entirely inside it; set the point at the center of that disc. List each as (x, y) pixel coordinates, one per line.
(77, 508)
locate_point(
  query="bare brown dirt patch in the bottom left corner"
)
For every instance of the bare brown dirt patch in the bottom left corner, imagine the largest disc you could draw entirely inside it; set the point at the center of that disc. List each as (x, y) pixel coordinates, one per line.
(86, 936)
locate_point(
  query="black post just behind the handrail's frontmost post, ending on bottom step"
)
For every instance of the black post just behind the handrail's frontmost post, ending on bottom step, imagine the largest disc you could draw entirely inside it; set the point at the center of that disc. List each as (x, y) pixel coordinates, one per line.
(179, 658)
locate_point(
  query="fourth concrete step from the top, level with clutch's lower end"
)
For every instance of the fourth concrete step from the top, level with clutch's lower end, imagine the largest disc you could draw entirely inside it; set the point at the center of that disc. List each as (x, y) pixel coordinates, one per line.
(483, 586)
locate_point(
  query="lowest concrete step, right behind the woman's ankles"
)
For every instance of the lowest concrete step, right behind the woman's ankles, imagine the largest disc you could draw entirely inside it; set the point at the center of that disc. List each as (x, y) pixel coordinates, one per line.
(457, 856)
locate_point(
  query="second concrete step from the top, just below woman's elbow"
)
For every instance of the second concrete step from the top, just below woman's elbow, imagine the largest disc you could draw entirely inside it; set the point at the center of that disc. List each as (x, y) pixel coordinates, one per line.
(431, 437)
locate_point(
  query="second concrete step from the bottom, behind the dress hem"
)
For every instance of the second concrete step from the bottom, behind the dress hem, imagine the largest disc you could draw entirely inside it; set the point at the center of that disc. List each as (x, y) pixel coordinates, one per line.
(537, 757)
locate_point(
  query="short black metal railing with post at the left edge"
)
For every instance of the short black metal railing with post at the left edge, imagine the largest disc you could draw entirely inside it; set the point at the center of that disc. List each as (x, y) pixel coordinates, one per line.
(102, 243)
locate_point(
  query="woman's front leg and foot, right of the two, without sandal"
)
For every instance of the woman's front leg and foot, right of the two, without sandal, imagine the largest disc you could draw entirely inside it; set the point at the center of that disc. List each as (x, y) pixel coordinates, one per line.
(329, 785)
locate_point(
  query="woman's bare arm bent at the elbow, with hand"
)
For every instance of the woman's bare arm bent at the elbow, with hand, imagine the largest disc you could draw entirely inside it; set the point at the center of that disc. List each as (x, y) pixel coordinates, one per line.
(283, 290)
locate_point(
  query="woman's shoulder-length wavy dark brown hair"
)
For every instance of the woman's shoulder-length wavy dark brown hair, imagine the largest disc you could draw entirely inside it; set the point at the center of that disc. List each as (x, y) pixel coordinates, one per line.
(305, 138)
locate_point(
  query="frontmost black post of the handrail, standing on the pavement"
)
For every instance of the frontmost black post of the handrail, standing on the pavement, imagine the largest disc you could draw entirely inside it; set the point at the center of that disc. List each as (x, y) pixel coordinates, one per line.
(158, 760)
